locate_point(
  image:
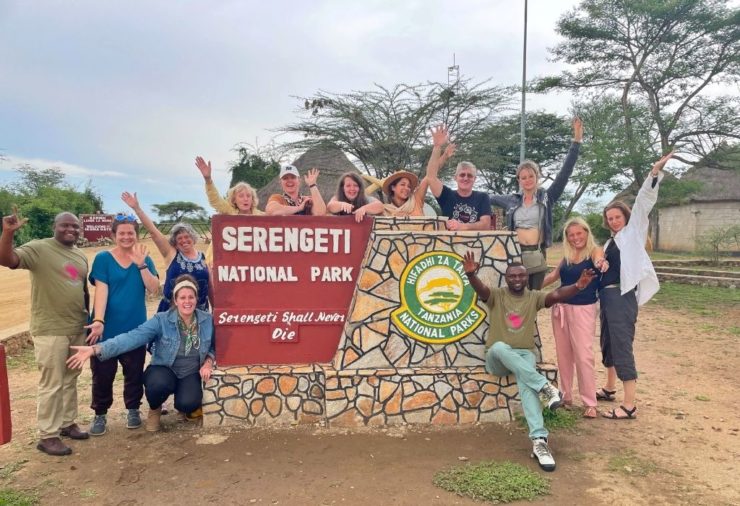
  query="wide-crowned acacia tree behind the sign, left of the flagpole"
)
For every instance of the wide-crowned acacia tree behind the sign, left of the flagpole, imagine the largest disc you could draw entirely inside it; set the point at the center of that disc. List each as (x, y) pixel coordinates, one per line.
(386, 129)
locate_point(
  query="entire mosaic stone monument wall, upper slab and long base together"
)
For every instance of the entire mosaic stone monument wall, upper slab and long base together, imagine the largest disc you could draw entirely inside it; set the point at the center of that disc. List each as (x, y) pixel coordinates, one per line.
(379, 375)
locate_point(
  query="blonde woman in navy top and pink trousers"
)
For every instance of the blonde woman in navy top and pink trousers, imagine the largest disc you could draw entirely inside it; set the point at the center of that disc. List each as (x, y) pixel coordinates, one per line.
(574, 320)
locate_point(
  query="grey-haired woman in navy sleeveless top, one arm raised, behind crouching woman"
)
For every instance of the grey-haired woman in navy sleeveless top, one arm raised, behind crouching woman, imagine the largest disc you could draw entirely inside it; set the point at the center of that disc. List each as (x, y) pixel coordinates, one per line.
(179, 254)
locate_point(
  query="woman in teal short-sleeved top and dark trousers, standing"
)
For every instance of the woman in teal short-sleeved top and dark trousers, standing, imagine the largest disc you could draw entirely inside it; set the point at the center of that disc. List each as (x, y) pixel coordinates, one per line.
(121, 277)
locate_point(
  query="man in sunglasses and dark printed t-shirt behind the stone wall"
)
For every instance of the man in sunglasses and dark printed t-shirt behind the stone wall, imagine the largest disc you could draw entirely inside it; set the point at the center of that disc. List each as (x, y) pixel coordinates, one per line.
(465, 208)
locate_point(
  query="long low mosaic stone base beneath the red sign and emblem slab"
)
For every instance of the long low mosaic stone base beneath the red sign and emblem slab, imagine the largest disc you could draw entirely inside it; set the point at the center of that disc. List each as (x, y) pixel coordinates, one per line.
(291, 395)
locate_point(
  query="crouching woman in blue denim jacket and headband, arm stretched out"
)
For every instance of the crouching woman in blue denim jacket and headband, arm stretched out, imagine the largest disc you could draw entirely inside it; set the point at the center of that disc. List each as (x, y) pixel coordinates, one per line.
(182, 356)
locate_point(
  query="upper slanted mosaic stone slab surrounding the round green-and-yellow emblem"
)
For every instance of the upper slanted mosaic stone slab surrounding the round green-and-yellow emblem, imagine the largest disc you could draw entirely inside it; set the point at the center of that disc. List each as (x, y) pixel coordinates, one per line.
(371, 340)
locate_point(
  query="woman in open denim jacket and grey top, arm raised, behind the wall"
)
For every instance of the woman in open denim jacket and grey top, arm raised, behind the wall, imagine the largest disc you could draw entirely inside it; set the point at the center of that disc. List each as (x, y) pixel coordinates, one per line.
(529, 212)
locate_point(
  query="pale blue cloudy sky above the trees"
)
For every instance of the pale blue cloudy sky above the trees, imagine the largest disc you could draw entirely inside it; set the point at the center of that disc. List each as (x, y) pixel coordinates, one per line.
(126, 94)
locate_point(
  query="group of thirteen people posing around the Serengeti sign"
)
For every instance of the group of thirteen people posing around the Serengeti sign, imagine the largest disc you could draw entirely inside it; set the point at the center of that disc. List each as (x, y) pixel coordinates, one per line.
(180, 336)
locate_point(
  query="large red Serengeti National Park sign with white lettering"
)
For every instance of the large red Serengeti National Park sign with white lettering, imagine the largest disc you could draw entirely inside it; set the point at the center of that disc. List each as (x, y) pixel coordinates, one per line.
(283, 285)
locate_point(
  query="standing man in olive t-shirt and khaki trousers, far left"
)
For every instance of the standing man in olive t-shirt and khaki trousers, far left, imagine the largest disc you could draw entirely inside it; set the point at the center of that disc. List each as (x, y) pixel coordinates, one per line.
(58, 315)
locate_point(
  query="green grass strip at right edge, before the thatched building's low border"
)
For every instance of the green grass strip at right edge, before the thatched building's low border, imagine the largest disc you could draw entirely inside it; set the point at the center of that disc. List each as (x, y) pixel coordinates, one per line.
(702, 300)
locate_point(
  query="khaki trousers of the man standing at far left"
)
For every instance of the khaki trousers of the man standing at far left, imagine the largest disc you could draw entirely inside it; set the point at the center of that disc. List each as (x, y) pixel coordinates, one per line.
(57, 393)
